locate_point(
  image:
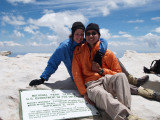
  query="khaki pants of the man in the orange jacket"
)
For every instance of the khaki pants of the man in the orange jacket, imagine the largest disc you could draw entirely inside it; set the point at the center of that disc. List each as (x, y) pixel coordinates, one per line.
(104, 90)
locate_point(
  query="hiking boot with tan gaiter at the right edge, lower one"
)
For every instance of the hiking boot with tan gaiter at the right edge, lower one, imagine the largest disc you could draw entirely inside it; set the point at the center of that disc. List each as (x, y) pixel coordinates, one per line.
(148, 93)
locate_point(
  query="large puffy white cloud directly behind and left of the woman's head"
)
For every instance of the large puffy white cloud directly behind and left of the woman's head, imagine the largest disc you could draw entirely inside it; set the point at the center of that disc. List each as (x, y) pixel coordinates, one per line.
(60, 23)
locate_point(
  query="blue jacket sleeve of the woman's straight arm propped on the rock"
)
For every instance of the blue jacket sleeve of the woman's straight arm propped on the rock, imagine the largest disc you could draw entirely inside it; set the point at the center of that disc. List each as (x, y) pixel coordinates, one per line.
(53, 63)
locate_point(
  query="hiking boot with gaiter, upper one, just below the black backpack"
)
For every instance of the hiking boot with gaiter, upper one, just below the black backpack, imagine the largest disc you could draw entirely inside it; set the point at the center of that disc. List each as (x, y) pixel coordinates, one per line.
(137, 81)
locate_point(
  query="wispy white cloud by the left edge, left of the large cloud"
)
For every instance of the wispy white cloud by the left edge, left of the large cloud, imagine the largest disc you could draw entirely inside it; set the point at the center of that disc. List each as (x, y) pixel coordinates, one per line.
(13, 20)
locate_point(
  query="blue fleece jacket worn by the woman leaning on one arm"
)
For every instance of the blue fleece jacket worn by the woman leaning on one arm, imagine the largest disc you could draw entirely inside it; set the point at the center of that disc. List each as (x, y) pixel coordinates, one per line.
(65, 53)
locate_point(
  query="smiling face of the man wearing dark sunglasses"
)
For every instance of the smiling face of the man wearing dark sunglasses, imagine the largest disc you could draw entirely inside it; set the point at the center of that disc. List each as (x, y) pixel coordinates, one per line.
(92, 37)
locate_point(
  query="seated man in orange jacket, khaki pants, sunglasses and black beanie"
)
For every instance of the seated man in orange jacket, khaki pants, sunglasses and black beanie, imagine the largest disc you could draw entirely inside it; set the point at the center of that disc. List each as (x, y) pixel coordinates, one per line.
(105, 86)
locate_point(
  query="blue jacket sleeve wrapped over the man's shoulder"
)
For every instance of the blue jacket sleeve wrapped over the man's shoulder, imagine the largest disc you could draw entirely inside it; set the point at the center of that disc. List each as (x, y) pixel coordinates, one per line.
(103, 45)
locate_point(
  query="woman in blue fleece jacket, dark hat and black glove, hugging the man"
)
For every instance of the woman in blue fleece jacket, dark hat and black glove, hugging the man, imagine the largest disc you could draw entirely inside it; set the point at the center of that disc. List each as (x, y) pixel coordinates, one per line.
(65, 53)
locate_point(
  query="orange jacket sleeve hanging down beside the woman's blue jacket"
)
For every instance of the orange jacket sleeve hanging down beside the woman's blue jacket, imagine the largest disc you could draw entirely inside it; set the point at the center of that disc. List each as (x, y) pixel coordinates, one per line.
(77, 74)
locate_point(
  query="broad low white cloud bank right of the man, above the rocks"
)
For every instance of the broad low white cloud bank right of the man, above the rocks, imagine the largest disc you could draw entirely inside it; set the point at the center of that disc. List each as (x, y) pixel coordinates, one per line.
(148, 41)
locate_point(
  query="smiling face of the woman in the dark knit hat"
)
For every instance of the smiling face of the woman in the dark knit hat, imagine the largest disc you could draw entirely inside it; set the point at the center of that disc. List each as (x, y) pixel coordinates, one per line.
(78, 36)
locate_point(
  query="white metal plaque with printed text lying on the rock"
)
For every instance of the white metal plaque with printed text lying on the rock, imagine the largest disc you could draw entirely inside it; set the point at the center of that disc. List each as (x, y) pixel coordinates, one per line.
(54, 105)
